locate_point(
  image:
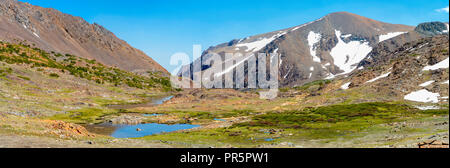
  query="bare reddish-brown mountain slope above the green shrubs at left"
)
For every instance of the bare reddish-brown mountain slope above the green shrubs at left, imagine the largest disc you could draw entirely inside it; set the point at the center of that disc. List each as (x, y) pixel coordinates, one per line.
(52, 30)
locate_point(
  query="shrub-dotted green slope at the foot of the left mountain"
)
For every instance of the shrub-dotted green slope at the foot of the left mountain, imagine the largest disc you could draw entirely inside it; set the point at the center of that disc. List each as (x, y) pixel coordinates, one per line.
(57, 64)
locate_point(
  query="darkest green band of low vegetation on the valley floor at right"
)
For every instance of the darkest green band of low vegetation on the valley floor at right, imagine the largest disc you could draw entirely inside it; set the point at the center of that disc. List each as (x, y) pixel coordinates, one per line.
(375, 112)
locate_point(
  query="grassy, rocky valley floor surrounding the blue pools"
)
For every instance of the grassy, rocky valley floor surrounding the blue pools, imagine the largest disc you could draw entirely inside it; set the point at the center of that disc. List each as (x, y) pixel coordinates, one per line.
(245, 121)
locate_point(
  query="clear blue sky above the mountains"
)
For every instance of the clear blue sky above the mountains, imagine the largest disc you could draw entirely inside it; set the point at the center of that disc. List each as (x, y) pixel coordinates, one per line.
(163, 27)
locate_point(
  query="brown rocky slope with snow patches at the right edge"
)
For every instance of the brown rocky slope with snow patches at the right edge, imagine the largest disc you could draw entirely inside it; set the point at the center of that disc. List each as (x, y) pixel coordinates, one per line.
(418, 71)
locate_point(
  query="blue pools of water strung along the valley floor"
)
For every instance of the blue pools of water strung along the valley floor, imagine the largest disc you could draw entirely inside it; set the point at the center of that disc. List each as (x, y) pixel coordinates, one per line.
(140, 130)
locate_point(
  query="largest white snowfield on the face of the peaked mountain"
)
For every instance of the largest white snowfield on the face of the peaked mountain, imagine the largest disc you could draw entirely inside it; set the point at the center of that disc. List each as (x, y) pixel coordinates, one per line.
(347, 55)
